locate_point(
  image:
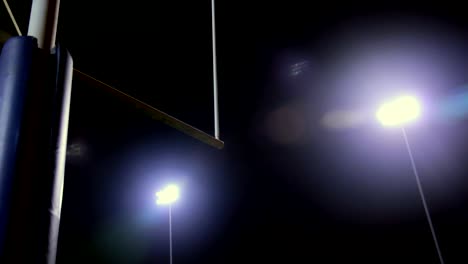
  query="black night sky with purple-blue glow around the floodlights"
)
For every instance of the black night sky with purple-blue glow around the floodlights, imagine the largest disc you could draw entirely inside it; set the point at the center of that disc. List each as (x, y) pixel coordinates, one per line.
(290, 186)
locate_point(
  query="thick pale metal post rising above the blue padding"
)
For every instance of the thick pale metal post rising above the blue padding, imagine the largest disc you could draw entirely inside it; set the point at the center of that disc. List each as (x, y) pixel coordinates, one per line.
(43, 22)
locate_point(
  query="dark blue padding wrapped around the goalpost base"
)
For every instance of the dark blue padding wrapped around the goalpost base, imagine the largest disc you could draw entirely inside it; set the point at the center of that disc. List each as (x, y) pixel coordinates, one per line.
(35, 90)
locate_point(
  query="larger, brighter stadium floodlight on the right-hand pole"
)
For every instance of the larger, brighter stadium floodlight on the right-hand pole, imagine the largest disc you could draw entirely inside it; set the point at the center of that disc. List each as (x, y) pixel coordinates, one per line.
(400, 111)
